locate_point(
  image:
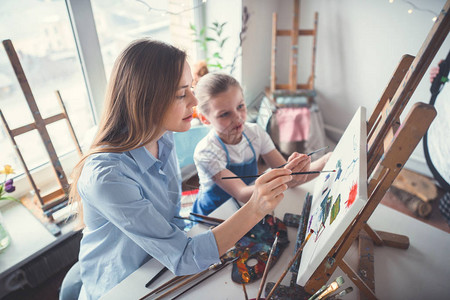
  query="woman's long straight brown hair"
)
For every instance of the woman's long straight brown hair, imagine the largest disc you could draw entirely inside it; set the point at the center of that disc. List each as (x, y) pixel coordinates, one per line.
(142, 86)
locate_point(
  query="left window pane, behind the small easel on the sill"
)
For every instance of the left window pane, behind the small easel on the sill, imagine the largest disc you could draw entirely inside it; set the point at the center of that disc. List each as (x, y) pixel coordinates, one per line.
(42, 37)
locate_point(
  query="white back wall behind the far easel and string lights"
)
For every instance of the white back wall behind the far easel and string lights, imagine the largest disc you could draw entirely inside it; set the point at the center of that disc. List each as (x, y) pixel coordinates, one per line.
(359, 46)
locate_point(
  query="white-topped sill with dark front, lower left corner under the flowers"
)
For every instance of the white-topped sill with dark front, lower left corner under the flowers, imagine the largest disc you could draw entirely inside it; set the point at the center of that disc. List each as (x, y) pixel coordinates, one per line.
(34, 253)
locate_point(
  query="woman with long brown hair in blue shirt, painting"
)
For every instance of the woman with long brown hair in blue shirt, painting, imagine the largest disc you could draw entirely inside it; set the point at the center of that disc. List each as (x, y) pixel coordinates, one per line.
(129, 183)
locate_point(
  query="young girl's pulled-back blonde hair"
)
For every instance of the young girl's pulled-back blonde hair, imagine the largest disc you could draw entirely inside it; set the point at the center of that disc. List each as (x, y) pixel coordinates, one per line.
(209, 86)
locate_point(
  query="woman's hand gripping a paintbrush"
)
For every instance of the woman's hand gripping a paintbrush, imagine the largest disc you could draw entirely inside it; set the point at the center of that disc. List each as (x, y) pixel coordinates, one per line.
(269, 189)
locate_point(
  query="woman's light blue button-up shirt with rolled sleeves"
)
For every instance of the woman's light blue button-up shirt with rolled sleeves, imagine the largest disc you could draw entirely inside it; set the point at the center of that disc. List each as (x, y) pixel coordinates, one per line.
(129, 203)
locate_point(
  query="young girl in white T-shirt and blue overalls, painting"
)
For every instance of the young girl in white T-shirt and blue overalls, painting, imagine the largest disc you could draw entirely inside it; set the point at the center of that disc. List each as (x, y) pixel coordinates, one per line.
(233, 147)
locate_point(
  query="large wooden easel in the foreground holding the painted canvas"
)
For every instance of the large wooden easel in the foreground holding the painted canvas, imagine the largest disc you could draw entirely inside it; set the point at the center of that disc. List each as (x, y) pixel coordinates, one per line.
(389, 146)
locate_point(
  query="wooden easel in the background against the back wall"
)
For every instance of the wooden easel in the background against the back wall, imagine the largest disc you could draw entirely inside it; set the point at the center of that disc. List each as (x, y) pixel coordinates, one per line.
(292, 88)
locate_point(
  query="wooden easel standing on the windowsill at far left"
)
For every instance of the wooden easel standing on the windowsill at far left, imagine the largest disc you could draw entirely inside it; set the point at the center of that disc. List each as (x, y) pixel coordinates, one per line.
(42, 206)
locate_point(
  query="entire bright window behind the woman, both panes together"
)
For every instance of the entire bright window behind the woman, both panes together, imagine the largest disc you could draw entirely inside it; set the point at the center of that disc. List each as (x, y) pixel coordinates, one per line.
(43, 38)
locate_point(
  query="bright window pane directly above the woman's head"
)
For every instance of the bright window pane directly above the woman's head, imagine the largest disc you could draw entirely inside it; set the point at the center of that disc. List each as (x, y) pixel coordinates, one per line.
(119, 22)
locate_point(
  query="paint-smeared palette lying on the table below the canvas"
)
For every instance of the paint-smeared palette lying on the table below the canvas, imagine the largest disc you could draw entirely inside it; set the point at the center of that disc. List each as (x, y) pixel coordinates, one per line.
(254, 248)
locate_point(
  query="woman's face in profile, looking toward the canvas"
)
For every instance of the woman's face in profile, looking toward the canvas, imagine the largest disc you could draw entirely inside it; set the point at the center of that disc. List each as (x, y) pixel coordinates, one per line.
(179, 115)
